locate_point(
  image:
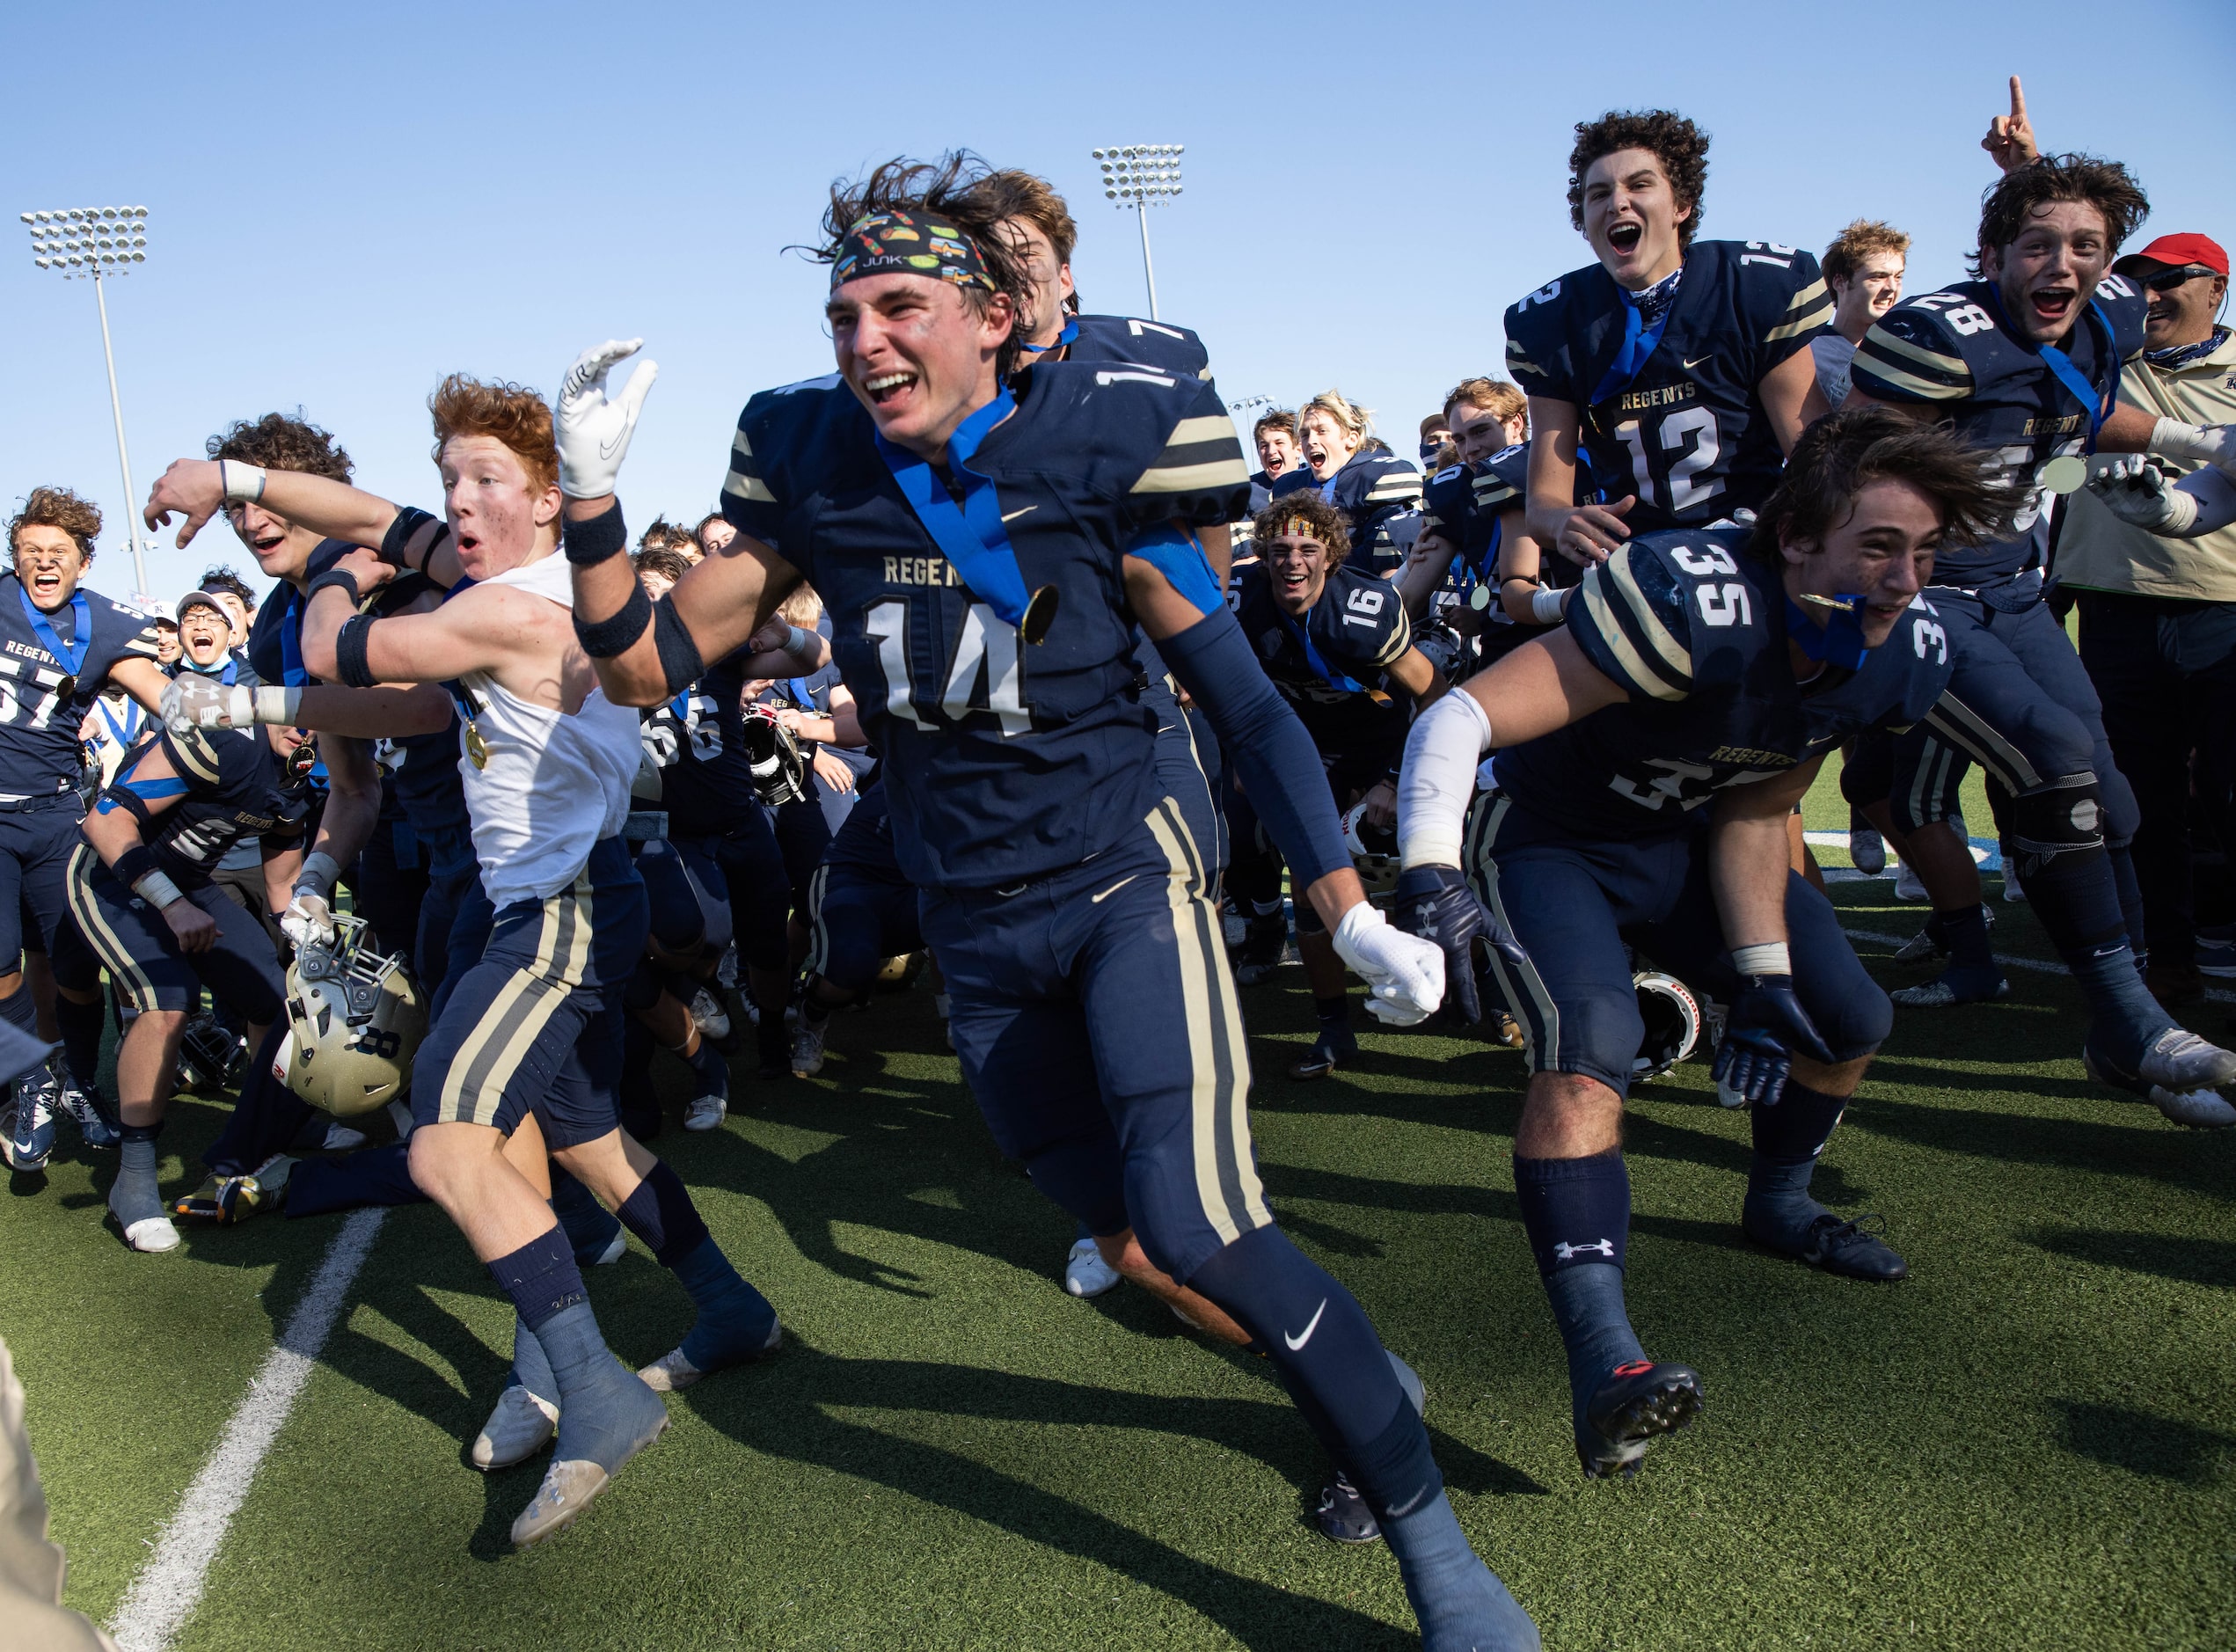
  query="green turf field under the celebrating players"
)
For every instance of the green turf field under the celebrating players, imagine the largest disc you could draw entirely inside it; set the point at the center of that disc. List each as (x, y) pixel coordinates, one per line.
(2029, 1445)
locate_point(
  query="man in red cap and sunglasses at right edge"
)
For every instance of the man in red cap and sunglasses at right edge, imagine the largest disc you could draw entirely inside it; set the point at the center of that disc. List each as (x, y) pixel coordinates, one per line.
(2159, 632)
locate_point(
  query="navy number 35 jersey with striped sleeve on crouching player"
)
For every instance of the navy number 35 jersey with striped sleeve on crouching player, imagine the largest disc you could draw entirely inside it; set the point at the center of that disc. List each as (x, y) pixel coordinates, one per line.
(1696, 632)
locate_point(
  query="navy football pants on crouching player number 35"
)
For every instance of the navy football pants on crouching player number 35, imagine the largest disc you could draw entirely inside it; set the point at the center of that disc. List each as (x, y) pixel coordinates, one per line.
(1577, 906)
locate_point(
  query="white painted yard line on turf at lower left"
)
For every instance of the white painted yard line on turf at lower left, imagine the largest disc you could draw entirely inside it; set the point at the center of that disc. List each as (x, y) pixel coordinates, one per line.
(169, 1591)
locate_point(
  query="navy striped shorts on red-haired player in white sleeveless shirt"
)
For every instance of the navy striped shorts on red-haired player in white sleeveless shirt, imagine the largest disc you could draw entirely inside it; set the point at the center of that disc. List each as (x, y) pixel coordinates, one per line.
(536, 1025)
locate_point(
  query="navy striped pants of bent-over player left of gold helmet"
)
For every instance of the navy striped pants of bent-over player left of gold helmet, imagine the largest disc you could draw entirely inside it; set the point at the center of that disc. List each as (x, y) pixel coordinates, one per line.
(146, 965)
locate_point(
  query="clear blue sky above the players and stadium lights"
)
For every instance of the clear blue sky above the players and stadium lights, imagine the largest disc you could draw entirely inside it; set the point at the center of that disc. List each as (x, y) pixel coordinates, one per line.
(348, 202)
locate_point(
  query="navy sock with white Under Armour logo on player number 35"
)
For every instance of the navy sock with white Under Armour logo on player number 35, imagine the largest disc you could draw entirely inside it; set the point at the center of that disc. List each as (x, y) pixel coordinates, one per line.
(1577, 1217)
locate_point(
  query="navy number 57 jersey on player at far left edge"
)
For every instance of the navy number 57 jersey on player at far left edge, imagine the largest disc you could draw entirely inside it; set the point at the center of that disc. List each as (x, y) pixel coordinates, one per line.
(41, 708)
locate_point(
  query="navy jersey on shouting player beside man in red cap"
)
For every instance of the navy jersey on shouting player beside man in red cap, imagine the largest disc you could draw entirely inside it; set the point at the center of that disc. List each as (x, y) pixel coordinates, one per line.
(1955, 357)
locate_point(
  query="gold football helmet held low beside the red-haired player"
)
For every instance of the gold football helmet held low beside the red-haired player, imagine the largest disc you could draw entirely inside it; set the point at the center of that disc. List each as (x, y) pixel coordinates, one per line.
(354, 1023)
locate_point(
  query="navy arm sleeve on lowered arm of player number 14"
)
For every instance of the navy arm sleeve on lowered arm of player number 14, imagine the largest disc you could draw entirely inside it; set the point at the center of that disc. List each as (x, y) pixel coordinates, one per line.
(1269, 748)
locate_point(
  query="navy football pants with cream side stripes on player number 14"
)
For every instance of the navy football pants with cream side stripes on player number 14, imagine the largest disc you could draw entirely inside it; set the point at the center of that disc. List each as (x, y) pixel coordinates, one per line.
(1101, 1034)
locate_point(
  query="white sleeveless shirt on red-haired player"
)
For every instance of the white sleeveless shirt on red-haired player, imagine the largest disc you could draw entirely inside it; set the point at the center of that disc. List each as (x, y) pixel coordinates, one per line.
(553, 784)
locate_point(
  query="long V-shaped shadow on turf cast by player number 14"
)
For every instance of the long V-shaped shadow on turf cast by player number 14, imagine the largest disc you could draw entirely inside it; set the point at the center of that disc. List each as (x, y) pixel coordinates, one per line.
(786, 1412)
